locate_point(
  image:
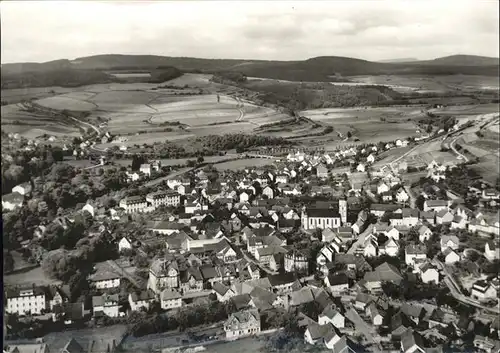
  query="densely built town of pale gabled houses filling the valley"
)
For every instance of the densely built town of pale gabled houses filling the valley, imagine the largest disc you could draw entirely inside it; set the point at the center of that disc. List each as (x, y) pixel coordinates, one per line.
(352, 262)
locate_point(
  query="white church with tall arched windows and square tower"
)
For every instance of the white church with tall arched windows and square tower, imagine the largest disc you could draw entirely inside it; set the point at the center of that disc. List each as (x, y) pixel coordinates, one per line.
(323, 218)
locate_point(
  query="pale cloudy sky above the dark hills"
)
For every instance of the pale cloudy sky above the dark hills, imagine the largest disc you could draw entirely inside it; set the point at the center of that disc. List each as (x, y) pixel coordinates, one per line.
(41, 31)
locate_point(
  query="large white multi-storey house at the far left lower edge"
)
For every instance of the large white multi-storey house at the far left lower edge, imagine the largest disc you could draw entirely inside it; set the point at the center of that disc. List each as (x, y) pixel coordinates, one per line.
(25, 301)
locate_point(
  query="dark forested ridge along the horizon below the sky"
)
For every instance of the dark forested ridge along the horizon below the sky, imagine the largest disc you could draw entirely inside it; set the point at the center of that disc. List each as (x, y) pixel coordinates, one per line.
(317, 69)
